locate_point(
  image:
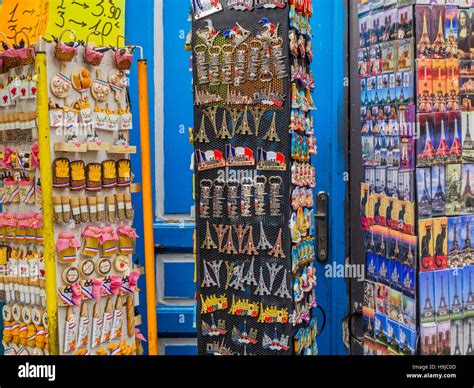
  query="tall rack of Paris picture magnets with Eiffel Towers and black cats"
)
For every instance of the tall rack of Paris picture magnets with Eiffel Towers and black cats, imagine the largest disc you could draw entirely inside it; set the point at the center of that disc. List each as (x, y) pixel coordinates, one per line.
(416, 199)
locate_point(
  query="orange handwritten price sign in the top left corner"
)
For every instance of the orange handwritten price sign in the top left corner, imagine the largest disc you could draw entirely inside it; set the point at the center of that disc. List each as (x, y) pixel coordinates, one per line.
(28, 16)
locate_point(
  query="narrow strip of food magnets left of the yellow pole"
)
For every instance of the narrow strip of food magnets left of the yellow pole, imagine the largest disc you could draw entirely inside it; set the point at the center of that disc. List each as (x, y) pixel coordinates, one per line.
(22, 270)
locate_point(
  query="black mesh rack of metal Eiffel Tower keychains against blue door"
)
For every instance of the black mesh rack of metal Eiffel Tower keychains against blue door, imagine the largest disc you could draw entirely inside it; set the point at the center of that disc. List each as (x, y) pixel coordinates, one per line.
(254, 137)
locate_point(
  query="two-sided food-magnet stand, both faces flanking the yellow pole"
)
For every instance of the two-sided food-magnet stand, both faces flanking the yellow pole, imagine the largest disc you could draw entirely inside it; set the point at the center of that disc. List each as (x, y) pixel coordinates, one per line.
(90, 120)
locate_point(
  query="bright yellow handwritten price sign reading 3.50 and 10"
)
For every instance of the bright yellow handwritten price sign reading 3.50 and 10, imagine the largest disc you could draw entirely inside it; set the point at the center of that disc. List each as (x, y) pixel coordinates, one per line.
(85, 16)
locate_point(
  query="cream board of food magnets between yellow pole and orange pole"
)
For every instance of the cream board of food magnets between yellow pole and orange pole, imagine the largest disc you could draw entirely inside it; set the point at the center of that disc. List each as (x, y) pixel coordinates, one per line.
(90, 120)
